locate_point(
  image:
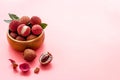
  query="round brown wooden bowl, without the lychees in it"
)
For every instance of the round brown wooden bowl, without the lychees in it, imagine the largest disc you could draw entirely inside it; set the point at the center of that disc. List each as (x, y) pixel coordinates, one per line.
(22, 45)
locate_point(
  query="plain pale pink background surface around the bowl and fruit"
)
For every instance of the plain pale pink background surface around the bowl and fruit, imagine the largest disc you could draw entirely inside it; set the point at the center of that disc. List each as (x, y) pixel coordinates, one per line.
(82, 35)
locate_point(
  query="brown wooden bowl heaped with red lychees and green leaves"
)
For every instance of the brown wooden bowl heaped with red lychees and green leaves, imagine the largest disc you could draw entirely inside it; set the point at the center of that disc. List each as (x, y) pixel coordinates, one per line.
(25, 32)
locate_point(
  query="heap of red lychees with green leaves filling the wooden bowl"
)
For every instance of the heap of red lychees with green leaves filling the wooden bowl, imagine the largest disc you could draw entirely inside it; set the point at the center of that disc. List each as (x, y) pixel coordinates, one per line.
(25, 28)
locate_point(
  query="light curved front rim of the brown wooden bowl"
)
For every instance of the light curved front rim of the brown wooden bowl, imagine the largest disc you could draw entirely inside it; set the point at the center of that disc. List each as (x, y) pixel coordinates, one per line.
(27, 41)
